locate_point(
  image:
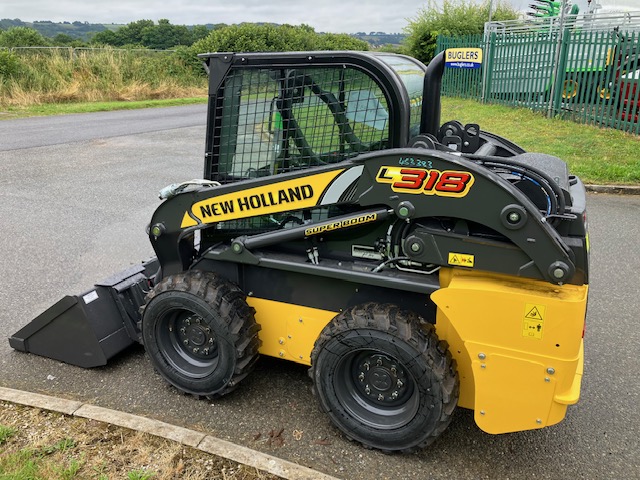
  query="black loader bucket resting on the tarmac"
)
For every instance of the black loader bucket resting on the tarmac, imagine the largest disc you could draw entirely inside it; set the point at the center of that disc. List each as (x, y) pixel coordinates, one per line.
(88, 329)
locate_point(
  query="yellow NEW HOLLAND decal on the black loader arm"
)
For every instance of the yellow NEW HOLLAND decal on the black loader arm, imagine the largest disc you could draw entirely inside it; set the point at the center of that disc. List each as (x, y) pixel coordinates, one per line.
(303, 192)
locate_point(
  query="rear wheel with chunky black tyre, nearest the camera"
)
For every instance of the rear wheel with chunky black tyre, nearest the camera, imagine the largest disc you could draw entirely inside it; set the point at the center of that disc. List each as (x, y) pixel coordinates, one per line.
(384, 378)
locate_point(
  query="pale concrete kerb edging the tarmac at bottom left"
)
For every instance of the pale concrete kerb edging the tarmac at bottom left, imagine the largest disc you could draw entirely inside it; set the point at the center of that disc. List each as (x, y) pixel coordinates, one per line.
(184, 436)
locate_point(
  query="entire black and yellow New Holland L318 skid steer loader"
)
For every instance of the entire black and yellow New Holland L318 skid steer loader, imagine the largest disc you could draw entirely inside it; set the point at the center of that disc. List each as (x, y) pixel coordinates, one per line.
(413, 266)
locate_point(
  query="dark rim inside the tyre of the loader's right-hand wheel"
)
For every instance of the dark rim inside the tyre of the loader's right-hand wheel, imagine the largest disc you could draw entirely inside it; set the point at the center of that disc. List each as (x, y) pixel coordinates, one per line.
(376, 389)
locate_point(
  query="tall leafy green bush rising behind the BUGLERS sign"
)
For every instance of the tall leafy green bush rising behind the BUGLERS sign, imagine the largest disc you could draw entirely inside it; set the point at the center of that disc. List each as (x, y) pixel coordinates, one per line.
(455, 17)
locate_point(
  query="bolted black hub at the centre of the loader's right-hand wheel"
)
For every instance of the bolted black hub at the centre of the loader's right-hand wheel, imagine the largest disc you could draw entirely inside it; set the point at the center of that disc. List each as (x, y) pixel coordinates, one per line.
(381, 380)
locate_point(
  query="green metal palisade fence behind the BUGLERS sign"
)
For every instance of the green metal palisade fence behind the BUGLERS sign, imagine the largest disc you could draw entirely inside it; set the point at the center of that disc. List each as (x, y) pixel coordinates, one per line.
(590, 77)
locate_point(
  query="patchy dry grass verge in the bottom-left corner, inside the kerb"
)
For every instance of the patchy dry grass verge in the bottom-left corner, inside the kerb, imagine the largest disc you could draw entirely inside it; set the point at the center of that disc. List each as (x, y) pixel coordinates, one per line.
(37, 444)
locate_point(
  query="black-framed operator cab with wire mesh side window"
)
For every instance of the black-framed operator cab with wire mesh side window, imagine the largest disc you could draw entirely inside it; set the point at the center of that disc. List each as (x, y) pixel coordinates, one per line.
(275, 113)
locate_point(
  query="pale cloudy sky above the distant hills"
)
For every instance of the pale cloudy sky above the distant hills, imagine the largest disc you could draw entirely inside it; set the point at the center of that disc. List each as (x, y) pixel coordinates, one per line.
(339, 16)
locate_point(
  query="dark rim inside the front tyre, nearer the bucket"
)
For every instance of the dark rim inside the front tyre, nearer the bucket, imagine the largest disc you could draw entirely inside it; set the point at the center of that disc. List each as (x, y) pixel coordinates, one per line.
(188, 343)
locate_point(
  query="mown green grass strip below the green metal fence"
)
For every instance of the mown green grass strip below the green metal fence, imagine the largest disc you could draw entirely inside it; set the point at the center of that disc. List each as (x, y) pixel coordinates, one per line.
(594, 154)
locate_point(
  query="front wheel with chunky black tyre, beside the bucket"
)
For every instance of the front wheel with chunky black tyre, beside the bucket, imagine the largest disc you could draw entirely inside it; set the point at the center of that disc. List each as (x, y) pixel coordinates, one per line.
(199, 333)
